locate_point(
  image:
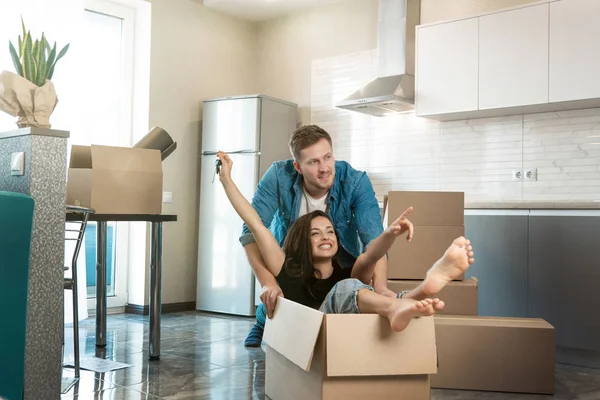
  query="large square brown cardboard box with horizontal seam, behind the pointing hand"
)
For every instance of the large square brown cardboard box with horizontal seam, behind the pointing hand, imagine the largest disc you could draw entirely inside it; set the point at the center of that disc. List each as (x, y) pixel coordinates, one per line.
(438, 219)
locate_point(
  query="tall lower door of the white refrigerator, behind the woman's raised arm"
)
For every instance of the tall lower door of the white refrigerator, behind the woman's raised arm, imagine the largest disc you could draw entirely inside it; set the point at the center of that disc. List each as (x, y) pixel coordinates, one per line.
(225, 279)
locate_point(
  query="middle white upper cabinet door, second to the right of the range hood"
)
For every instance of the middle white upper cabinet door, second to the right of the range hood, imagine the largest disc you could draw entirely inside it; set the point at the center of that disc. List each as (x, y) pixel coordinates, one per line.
(446, 69)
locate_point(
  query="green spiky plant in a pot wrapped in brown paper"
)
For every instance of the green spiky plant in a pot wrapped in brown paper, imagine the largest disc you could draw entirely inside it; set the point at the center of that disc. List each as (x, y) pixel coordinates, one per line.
(29, 94)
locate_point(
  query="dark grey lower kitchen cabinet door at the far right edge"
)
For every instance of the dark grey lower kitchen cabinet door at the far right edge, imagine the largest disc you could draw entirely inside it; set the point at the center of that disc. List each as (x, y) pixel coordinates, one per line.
(564, 276)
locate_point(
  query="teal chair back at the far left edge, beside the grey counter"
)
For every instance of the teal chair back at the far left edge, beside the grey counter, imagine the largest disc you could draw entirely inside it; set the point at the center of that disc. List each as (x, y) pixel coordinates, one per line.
(16, 222)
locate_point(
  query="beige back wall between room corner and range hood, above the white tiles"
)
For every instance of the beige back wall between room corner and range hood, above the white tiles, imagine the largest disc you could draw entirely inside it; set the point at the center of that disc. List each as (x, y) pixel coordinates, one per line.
(287, 46)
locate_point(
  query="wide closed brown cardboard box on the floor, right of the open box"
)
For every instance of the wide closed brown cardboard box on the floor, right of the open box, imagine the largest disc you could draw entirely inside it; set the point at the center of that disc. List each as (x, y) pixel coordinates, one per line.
(494, 354)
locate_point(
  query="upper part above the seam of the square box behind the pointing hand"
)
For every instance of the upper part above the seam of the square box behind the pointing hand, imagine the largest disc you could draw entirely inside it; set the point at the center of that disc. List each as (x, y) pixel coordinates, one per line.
(430, 208)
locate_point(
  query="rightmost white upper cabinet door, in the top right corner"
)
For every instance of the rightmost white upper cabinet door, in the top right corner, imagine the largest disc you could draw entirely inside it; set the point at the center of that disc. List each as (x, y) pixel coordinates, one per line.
(574, 50)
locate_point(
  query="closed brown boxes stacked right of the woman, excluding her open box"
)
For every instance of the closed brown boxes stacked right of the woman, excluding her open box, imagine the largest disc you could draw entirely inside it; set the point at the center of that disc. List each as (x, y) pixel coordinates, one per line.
(474, 353)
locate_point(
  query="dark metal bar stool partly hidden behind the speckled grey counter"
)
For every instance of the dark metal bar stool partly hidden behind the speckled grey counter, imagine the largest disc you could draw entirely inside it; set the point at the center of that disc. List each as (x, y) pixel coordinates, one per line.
(71, 283)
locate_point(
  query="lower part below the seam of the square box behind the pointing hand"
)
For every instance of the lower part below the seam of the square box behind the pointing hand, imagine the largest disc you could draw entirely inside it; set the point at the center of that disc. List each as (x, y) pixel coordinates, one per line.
(413, 260)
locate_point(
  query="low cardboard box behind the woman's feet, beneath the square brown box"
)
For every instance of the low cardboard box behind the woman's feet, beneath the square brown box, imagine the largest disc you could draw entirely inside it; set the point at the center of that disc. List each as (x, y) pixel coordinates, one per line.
(460, 297)
